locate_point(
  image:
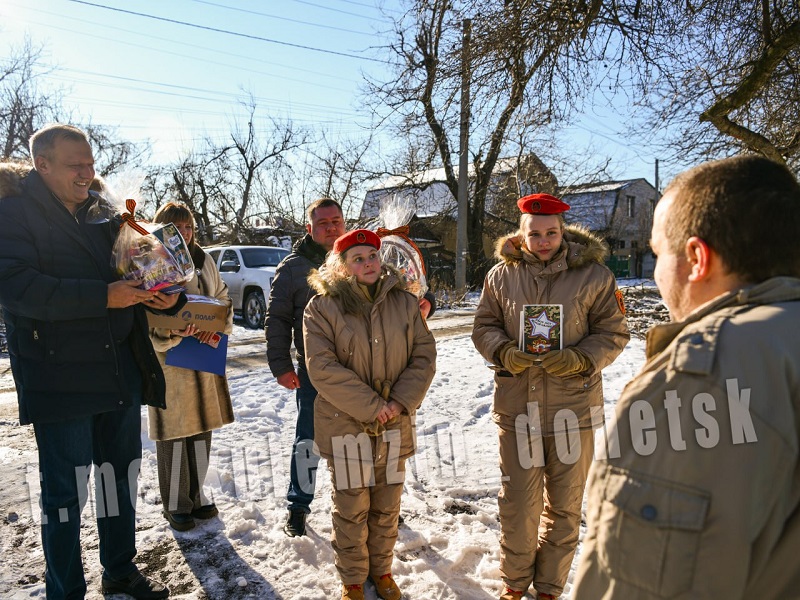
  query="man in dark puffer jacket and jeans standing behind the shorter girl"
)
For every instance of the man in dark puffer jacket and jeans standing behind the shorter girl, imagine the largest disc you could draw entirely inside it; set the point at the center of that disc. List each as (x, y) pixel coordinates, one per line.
(287, 300)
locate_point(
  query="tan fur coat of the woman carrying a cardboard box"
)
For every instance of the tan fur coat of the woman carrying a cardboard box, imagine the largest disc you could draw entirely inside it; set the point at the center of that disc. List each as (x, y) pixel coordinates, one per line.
(196, 401)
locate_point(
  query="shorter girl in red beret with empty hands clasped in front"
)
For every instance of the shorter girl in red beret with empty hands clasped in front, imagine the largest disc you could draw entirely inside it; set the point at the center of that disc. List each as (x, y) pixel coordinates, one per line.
(371, 359)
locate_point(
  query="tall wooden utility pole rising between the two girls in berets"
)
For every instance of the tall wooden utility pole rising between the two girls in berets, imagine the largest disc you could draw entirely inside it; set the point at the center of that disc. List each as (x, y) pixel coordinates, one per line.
(463, 162)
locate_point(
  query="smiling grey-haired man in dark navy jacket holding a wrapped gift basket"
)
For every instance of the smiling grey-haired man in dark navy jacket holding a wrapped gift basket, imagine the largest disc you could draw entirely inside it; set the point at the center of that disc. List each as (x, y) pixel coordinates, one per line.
(81, 358)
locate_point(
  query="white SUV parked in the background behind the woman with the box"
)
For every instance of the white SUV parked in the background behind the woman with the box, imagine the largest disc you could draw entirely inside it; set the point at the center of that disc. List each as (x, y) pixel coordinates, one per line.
(248, 271)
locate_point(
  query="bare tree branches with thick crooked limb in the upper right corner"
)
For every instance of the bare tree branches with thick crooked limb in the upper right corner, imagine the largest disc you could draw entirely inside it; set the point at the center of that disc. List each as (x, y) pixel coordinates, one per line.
(712, 77)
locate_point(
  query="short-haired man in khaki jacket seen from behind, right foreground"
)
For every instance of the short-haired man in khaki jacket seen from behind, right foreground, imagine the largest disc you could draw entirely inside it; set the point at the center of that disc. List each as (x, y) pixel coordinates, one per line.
(700, 495)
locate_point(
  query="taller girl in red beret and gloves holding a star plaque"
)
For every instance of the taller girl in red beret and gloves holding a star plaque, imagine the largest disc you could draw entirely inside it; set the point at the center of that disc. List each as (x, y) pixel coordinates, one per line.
(547, 403)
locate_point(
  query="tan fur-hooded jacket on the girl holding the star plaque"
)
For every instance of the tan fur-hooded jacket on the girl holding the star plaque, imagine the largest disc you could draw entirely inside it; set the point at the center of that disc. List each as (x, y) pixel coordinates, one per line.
(594, 322)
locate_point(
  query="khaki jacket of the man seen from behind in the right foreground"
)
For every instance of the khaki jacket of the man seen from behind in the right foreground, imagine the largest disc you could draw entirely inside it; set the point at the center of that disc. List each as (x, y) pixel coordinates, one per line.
(701, 497)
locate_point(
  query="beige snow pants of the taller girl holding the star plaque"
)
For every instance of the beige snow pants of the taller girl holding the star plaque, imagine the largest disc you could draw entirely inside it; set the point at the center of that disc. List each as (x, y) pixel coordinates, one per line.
(540, 505)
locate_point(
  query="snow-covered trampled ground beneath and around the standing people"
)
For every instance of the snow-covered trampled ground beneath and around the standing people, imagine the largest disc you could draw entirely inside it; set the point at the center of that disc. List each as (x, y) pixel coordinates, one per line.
(448, 546)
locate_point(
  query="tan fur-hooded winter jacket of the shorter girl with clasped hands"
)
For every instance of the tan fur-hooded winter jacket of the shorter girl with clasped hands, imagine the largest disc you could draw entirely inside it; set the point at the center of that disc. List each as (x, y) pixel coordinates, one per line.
(346, 351)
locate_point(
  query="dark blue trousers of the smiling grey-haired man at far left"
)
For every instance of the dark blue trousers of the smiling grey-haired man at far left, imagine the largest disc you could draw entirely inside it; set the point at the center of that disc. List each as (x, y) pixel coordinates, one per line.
(112, 442)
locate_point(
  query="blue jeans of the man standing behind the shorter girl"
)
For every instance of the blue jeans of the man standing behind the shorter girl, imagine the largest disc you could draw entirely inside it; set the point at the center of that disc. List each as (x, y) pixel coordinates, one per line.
(304, 459)
